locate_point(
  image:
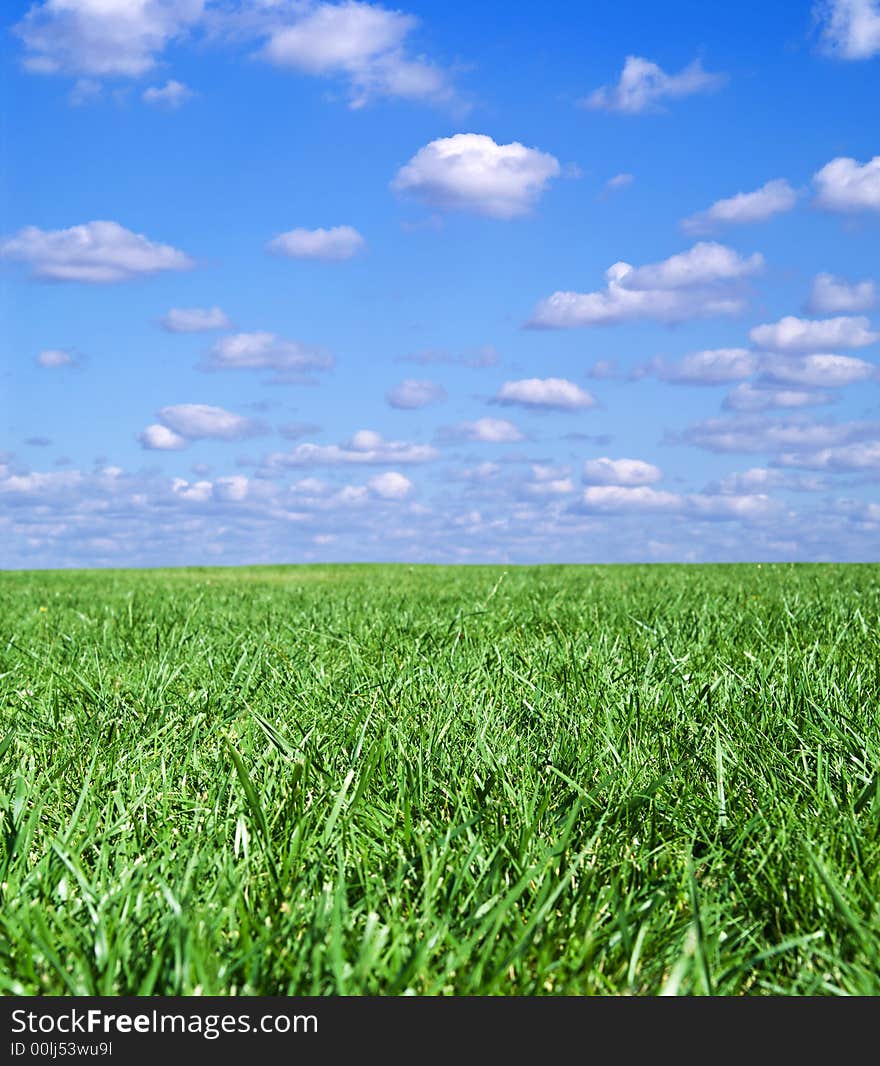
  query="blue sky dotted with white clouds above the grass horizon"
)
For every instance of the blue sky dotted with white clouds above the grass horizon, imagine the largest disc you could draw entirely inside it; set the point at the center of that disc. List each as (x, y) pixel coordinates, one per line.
(298, 282)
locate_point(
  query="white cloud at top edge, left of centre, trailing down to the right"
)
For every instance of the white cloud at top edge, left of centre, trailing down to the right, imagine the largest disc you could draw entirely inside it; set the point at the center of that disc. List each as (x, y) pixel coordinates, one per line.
(362, 43)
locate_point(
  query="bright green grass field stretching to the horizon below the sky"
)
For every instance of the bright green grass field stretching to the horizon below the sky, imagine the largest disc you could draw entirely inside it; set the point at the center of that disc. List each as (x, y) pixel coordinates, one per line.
(483, 781)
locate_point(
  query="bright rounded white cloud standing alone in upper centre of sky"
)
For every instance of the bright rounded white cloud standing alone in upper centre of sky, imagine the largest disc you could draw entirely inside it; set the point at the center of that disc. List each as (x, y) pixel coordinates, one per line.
(470, 172)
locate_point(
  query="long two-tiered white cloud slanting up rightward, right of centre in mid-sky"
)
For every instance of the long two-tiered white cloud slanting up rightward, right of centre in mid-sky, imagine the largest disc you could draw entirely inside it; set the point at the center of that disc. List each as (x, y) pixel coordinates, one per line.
(704, 282)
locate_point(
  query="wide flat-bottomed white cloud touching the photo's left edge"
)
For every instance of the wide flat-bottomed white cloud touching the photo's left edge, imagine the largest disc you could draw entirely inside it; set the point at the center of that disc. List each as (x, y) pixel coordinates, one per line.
(95, 253)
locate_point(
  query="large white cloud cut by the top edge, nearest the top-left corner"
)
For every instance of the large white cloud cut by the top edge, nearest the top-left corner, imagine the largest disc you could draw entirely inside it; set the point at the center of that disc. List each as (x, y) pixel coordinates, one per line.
(103, 38)
